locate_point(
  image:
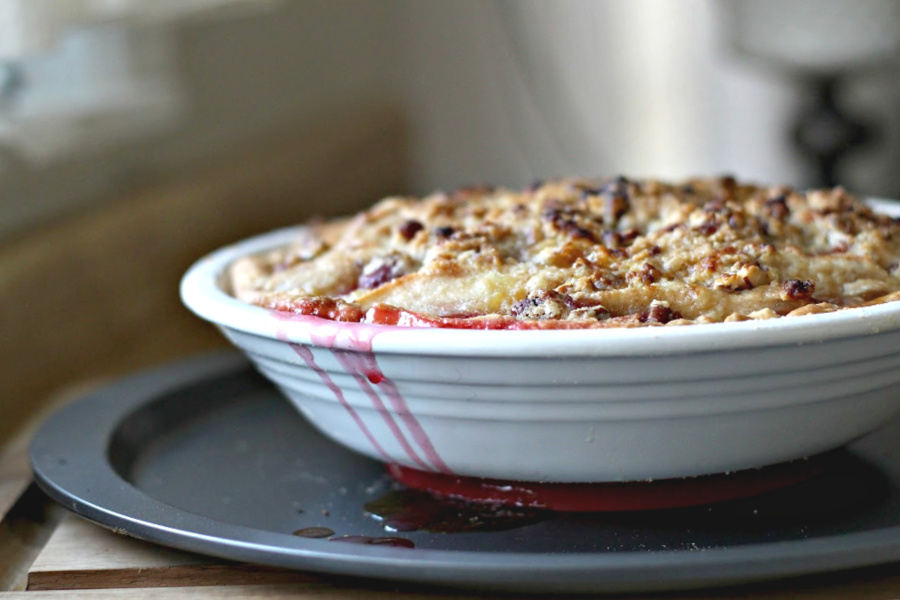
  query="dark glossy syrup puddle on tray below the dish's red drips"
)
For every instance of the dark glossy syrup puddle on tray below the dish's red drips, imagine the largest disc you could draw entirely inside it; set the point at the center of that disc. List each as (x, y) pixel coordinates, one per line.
(413, 510)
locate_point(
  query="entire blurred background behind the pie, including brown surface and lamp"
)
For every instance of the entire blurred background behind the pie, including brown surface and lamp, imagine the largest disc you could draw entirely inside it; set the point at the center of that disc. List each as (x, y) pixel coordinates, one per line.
(137, 134)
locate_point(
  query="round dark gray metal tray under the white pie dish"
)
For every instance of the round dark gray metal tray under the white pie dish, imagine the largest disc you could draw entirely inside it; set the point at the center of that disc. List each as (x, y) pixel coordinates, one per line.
(206, 456)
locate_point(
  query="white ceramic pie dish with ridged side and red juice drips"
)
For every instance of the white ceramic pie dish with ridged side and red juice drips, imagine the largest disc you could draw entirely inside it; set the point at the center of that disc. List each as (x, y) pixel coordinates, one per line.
(574, 405)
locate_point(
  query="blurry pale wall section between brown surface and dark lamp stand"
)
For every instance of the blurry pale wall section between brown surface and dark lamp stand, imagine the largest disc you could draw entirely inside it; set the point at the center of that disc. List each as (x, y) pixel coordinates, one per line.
(513, 91)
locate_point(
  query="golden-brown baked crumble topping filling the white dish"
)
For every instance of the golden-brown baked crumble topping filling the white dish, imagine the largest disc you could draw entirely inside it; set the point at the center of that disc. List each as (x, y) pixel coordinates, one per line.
(585, 253)
